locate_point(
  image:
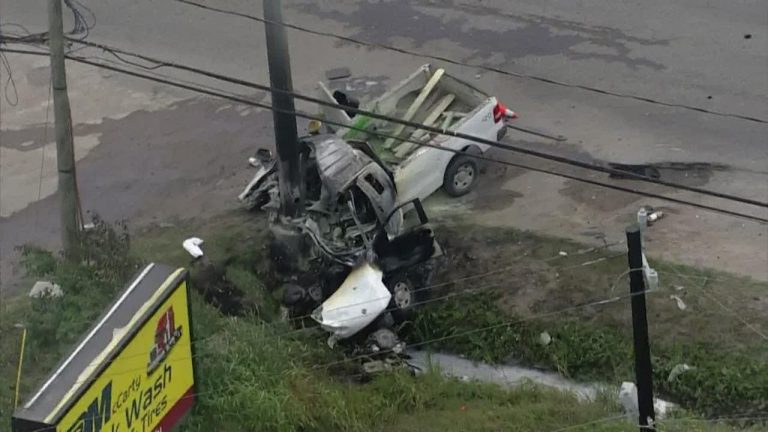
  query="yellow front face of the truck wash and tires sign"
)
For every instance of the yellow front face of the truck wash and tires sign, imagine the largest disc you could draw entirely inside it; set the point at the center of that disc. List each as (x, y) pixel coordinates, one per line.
(149, 385)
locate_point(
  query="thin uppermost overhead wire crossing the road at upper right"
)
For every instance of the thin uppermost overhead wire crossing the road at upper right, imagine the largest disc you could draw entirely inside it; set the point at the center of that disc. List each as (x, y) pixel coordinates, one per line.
(472, 65)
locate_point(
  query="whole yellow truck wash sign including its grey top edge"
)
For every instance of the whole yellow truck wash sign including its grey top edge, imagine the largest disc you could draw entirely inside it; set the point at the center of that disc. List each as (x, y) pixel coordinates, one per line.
(133, 370)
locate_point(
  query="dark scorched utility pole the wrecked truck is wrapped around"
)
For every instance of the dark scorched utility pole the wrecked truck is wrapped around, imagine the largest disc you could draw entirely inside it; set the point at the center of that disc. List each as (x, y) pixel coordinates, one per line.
(286, 134)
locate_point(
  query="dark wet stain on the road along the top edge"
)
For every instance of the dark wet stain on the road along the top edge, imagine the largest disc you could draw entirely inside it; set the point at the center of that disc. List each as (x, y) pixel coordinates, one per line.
(425, 22)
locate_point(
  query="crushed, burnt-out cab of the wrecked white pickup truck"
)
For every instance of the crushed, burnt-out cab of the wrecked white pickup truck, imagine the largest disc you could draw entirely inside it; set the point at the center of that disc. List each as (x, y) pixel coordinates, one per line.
(352, 216)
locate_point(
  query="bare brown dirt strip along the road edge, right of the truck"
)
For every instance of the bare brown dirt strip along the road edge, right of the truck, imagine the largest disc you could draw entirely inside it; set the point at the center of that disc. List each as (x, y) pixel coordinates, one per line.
(532, 275)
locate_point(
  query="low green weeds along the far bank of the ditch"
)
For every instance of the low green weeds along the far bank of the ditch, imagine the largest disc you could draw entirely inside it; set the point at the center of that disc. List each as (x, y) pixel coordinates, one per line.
(722, 383)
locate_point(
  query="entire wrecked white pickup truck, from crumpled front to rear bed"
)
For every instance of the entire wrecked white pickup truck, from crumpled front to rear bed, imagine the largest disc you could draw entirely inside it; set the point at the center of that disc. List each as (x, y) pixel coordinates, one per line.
(364, 264)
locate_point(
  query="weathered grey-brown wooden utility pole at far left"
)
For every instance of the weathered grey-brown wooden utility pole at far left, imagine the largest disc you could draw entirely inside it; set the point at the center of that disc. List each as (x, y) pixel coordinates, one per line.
(65, 154)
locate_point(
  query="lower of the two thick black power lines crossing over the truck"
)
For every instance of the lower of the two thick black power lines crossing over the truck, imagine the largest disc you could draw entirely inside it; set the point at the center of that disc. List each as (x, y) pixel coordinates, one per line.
(246, 101)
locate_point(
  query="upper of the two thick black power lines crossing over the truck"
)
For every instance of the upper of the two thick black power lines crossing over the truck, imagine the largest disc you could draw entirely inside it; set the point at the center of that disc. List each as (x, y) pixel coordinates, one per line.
(510, 147)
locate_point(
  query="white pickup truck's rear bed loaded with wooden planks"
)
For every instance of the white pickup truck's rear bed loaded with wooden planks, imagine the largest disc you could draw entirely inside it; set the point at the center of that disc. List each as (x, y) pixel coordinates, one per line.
(434, 98)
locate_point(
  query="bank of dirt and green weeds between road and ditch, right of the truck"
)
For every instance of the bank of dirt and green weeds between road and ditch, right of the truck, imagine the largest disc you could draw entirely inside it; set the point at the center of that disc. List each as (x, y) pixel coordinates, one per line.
(595, 343)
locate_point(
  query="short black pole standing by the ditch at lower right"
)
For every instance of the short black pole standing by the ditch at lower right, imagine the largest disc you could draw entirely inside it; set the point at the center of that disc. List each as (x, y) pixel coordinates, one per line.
(643, 368)
